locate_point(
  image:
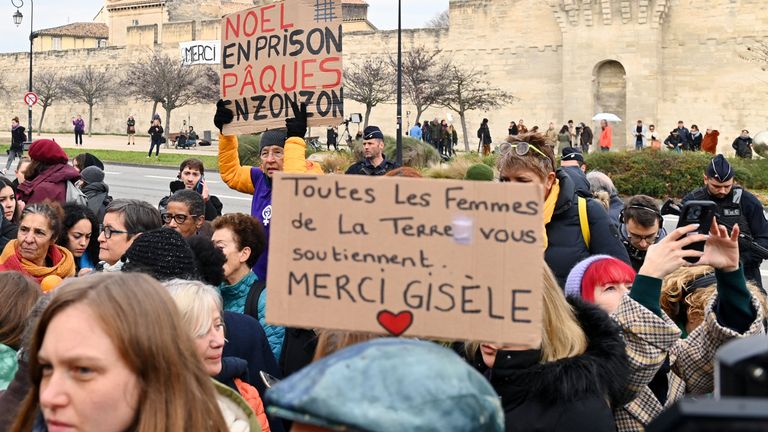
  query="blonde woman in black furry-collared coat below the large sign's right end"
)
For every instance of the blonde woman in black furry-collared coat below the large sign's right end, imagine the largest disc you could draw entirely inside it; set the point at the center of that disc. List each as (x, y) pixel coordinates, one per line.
(572, 381)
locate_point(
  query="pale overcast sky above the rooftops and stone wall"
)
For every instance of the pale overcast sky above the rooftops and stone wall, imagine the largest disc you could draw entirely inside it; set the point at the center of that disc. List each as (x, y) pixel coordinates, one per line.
(53, 13)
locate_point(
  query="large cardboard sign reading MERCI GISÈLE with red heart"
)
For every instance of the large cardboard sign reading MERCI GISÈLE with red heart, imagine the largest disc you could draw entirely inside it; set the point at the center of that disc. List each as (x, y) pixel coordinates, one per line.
(439, 259)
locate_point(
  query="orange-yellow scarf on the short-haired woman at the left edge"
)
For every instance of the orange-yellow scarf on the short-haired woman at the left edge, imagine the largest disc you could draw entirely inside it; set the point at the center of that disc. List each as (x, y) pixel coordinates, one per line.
(64, 262)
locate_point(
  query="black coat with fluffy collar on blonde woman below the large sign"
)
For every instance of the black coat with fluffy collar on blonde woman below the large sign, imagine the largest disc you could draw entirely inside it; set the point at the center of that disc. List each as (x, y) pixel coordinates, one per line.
(571, 394)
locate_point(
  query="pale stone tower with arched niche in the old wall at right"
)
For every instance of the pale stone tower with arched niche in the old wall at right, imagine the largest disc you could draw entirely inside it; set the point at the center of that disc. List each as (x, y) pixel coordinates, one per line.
(617, 46)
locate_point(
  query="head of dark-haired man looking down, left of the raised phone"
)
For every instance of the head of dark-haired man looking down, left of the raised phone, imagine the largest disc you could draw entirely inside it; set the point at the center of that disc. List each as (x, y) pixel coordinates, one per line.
(642, 225)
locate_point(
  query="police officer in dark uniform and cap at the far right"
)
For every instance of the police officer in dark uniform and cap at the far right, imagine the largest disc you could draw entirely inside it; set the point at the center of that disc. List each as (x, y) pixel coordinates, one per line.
(735, 206)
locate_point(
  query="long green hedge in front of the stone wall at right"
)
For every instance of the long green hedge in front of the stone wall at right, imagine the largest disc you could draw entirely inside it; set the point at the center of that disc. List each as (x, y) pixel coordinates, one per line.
(665, 174)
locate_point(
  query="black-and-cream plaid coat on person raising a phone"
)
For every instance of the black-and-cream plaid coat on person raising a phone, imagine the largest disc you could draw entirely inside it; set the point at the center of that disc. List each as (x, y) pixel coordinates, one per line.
(650, 339)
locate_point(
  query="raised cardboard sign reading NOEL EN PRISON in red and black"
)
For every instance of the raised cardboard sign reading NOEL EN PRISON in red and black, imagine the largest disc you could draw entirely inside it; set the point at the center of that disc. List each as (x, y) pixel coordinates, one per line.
(278, 53)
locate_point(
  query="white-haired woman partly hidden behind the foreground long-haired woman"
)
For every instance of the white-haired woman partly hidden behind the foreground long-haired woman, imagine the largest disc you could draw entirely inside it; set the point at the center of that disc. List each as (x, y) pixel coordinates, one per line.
(200, 306)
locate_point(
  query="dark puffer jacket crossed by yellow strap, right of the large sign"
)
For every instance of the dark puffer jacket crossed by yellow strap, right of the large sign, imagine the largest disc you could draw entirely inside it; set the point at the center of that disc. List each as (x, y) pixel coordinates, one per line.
(566, 243)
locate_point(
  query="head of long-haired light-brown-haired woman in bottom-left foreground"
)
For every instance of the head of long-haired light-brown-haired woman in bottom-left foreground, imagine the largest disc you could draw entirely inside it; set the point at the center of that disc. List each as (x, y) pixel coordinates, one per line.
(109, 353)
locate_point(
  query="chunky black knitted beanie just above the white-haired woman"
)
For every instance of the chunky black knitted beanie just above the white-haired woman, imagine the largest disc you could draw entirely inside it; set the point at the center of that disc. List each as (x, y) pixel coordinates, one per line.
(161, 253)
